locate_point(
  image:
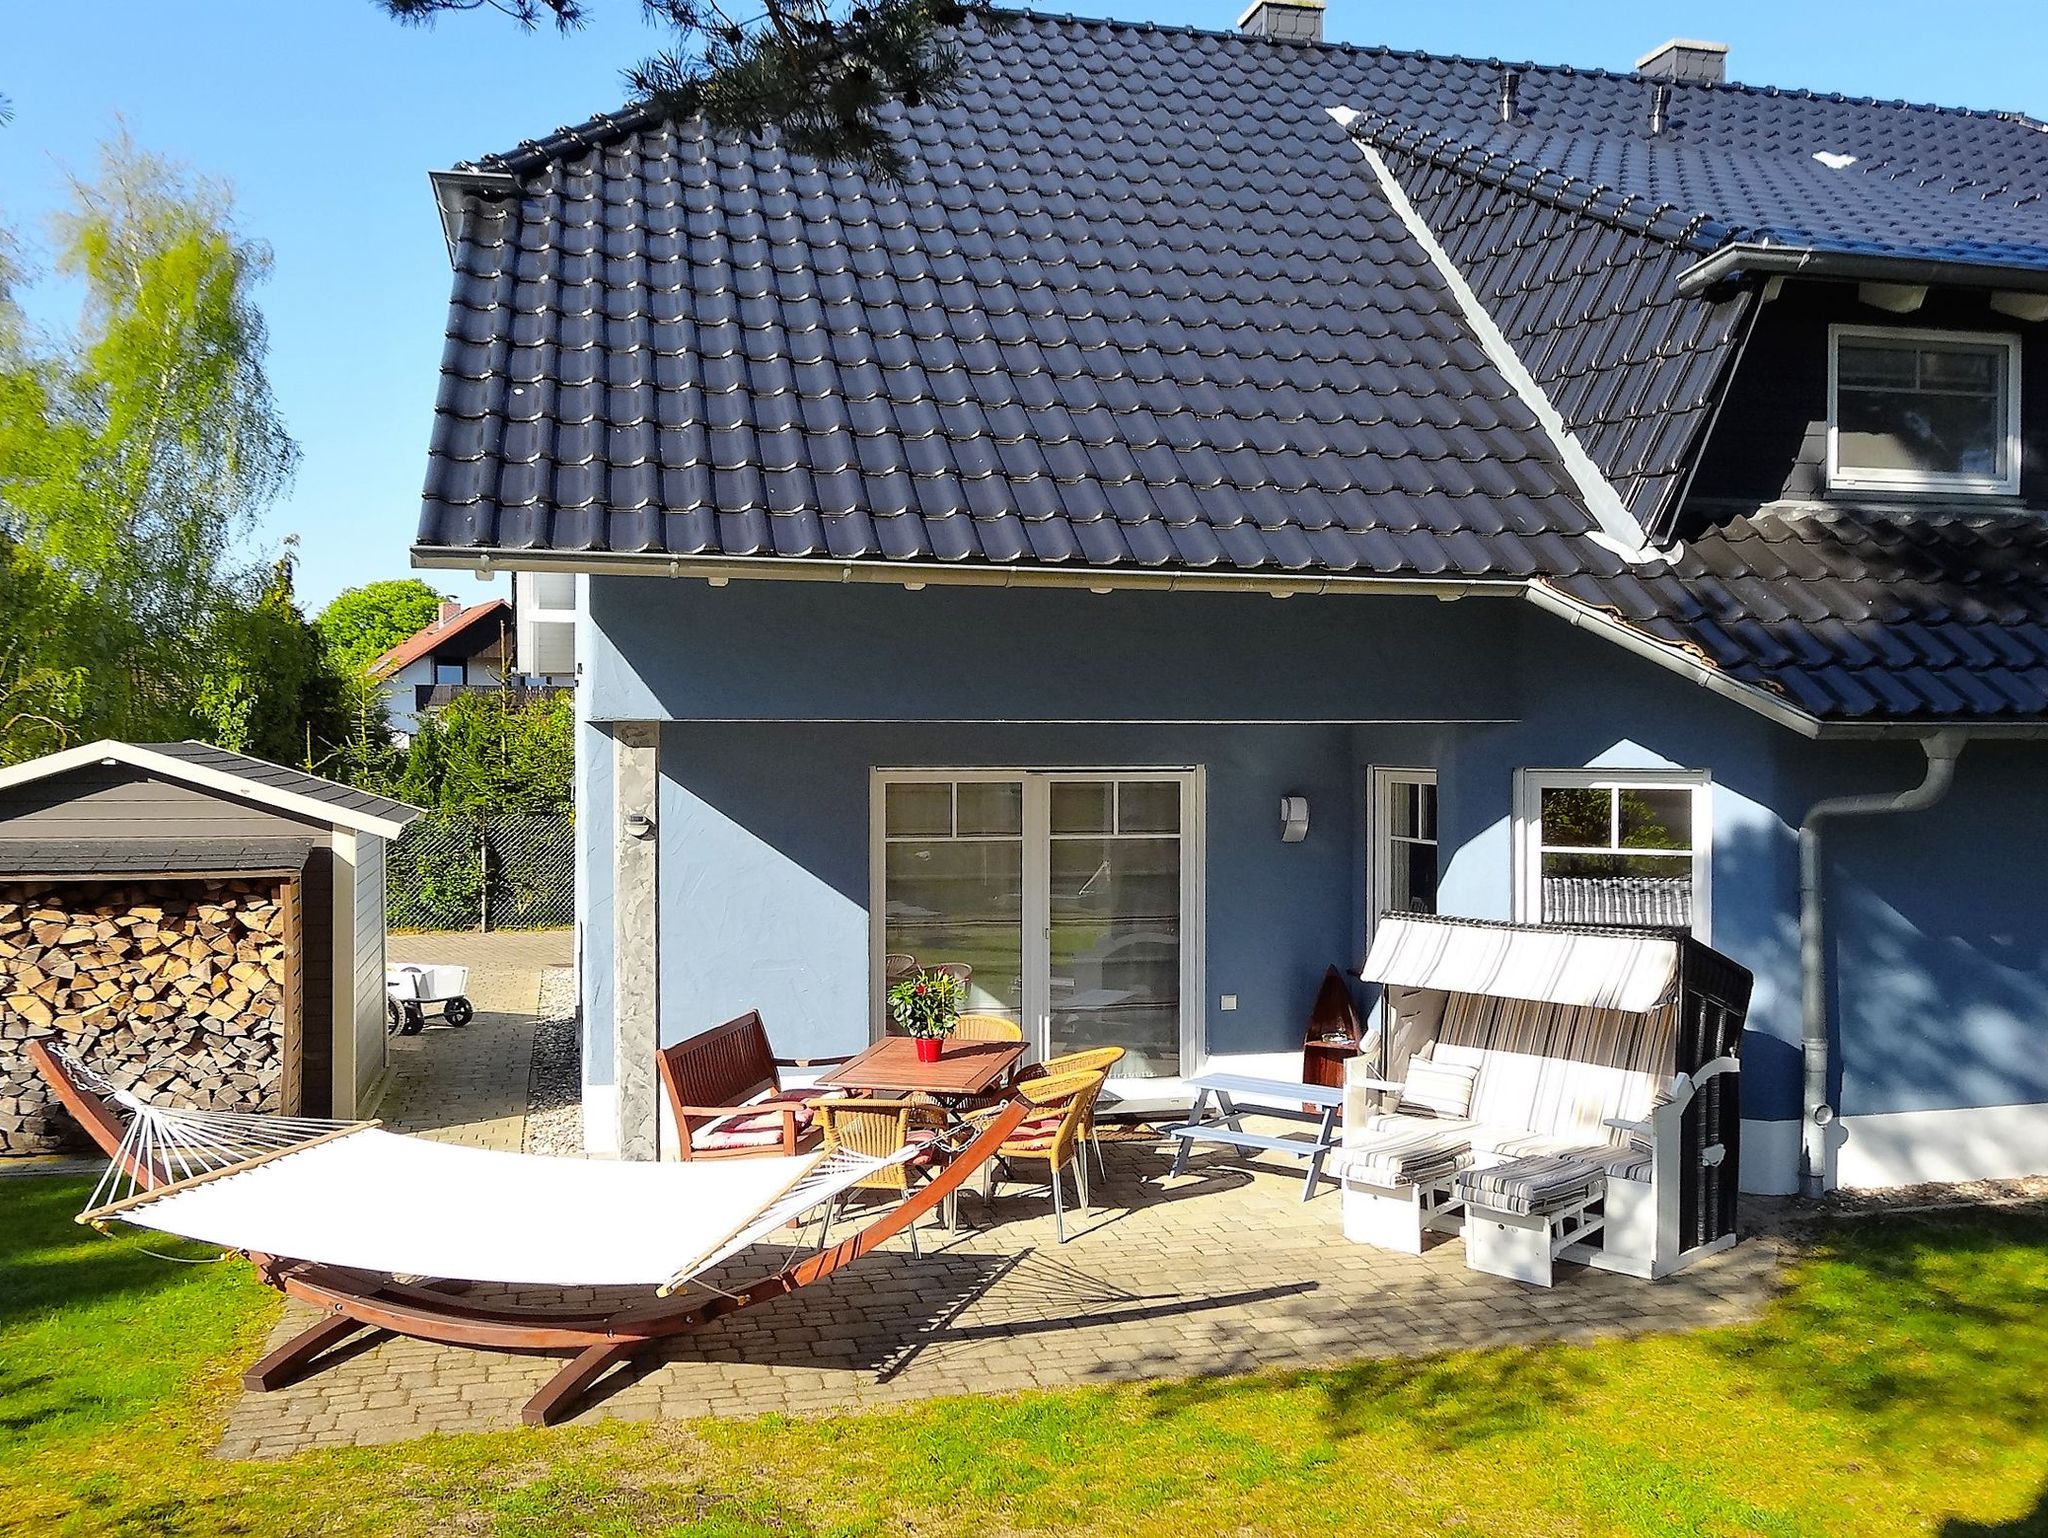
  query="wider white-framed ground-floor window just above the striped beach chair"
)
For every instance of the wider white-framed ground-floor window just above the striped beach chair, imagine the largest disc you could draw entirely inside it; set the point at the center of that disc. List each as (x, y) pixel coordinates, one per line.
(1603, 847)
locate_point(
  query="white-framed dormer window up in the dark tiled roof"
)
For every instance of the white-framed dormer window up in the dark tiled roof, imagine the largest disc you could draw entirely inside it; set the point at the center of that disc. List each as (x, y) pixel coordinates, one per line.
(1914, 411)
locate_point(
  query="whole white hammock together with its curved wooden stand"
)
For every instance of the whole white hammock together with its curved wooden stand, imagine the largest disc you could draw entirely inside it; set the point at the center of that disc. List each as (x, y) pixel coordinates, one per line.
(347, 1217)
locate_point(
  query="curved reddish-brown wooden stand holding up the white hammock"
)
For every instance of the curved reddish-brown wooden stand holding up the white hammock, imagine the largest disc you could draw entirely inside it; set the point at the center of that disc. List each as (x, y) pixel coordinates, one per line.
(435, 1312)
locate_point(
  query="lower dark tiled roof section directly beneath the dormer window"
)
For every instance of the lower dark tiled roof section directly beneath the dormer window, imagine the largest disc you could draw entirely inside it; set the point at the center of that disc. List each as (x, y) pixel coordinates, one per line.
(1859, 613)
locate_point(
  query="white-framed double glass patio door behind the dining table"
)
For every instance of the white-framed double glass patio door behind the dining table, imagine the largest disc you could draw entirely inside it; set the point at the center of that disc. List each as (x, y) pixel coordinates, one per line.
(1070, 896)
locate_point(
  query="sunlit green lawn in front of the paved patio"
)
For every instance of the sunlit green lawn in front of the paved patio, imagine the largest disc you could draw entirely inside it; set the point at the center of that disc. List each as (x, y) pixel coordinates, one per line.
(1900, 1387)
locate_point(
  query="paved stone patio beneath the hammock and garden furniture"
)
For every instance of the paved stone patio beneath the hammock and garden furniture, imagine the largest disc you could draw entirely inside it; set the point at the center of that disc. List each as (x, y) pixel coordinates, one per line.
(1224, 1271)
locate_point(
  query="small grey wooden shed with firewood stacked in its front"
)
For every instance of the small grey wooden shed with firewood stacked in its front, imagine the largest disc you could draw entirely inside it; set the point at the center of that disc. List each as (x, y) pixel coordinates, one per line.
(198, 923)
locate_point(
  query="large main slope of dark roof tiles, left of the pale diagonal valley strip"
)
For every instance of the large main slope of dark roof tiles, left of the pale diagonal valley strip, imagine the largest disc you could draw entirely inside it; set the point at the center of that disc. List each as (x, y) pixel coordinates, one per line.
(1142, 306)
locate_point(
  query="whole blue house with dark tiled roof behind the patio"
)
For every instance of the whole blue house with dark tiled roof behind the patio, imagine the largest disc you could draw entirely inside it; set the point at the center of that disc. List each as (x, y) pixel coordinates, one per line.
(1644, 464)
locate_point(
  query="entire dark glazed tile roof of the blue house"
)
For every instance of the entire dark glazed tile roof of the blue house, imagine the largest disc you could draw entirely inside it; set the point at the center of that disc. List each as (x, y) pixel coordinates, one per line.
(1148, 306)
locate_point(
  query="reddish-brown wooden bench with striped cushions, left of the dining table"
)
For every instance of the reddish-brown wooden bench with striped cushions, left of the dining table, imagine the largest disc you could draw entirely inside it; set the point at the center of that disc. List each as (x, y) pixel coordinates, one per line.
(726, 1093)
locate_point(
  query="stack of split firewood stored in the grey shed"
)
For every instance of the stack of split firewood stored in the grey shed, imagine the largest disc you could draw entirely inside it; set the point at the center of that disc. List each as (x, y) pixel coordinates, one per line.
(171, 988)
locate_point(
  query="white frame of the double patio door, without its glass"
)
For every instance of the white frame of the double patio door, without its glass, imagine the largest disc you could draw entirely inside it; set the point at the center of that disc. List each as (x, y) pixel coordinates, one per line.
(1037, 918)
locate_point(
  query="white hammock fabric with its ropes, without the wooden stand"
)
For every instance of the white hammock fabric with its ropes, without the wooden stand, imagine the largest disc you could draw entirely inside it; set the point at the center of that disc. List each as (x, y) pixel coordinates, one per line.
(353, 1195)
